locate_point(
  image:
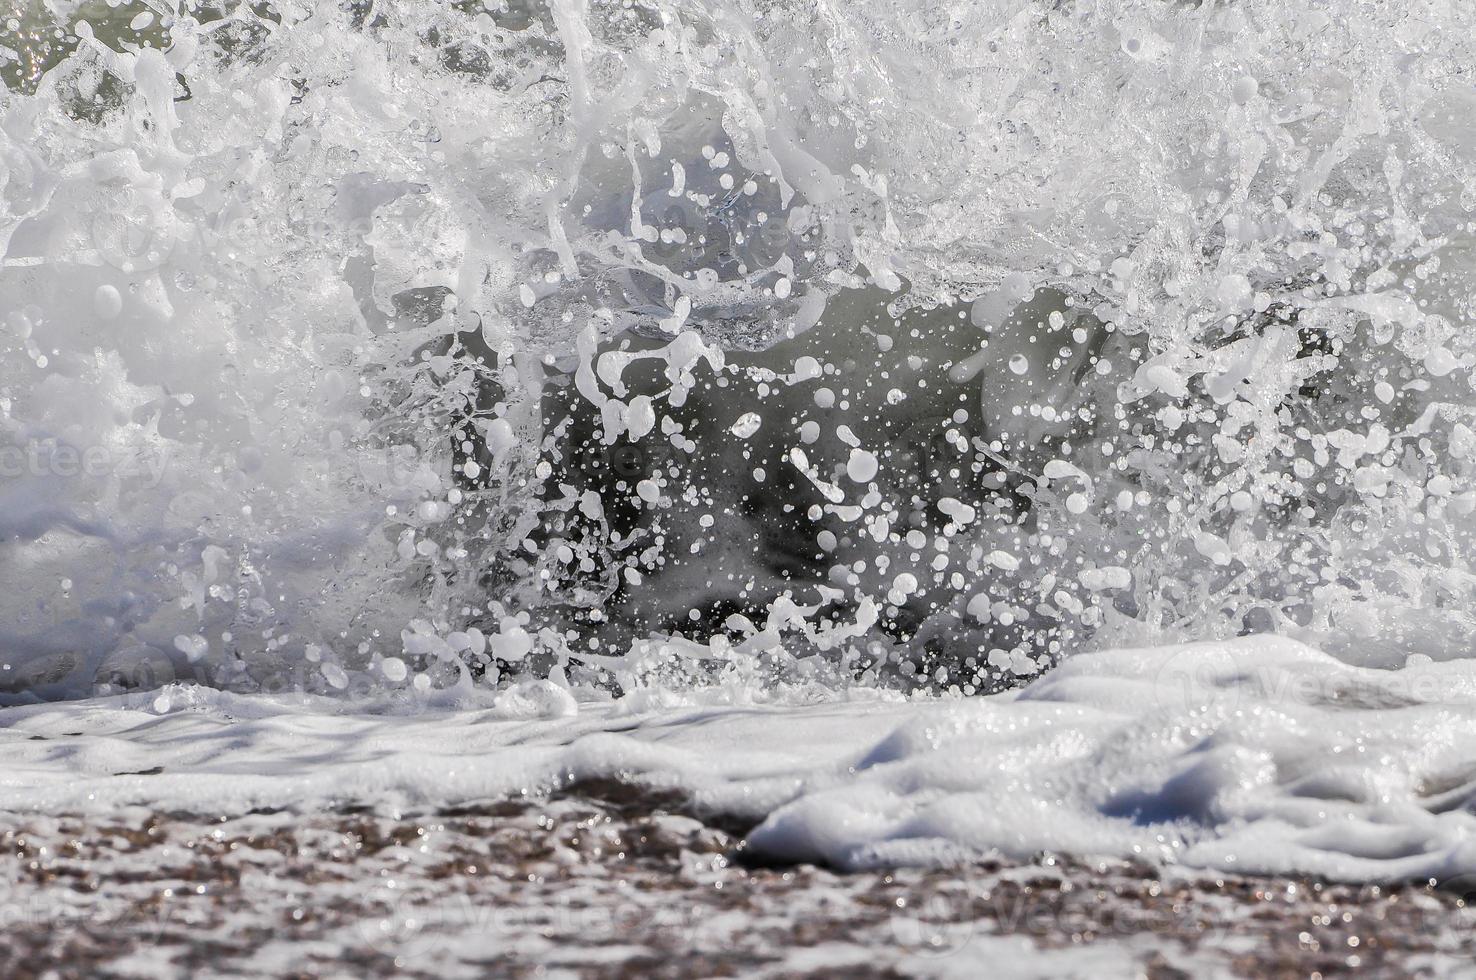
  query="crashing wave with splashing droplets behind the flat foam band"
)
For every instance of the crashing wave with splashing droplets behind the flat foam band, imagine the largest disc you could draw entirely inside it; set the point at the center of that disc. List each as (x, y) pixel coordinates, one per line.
(424, 346)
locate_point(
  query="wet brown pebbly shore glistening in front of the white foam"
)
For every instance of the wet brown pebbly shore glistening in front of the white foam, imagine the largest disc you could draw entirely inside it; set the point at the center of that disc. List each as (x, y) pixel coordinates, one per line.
(612, 882)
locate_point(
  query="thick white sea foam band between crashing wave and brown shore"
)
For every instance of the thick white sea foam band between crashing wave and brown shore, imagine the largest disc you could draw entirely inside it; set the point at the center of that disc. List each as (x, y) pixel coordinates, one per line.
(1257, 756)
